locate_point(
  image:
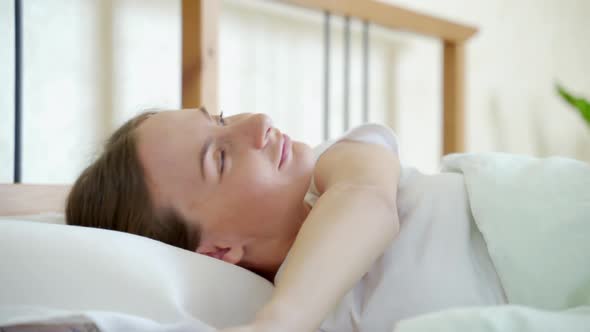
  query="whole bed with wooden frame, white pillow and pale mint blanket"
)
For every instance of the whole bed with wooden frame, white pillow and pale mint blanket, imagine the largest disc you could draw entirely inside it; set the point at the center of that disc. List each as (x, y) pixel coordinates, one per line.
(57, 276)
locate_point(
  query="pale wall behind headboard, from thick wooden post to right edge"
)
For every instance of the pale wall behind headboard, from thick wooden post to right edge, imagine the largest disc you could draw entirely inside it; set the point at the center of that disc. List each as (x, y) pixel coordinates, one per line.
(523, 48)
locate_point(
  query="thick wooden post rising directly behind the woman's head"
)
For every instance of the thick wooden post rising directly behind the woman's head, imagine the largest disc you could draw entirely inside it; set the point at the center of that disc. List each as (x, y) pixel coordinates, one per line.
(200, 54)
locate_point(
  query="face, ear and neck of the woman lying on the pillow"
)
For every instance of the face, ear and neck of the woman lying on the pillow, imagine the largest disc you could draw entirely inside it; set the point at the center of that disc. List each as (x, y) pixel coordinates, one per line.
(242, 181)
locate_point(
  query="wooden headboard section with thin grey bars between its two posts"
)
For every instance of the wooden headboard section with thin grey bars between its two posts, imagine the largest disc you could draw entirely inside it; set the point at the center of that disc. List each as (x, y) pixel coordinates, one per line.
(200, 48)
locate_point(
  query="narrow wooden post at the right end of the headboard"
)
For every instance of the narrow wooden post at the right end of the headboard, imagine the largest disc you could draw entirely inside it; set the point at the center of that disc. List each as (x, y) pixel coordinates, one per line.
(453, 98)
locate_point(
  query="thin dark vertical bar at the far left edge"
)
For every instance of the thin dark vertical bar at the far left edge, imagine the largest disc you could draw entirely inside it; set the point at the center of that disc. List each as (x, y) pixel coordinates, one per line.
(17, 89)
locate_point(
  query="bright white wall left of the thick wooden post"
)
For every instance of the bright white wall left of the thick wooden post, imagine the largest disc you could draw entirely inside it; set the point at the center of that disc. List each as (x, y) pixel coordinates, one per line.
(87, 66)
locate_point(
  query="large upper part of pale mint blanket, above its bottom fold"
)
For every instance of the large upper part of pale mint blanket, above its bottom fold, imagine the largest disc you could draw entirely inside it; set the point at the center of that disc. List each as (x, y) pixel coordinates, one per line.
(535, 216)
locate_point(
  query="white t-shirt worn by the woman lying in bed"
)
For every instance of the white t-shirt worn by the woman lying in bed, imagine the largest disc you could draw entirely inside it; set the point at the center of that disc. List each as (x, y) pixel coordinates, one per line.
(439, 259)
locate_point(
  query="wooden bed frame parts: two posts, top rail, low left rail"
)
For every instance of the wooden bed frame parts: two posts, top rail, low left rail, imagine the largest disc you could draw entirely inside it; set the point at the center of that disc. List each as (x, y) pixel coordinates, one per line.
(200, 75)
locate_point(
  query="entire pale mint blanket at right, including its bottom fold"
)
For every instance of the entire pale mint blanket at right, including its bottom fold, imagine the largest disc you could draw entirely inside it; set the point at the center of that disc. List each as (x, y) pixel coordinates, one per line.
(535, 217)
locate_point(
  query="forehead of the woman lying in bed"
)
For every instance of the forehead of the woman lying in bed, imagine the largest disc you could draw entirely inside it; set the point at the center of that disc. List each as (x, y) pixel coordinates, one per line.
(168, 147)
